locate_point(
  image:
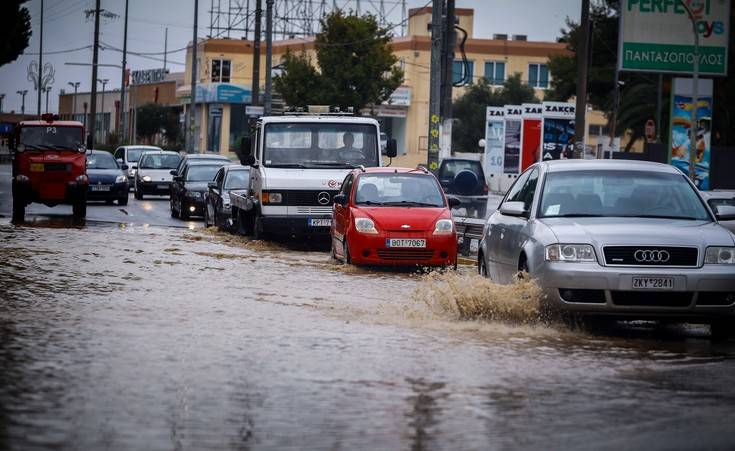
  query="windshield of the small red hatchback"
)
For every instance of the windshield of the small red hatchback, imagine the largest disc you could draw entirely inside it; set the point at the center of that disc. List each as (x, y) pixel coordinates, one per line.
(391, 189)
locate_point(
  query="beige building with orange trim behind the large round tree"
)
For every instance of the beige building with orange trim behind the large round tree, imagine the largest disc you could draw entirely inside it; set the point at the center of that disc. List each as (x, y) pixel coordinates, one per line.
(225, 79)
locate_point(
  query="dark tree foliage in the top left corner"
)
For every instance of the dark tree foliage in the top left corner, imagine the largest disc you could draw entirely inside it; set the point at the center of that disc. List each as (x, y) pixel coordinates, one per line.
(15, 30)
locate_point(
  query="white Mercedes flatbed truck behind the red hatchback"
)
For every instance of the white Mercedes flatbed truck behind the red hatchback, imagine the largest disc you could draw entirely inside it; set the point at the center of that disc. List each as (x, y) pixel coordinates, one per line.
(297, 165)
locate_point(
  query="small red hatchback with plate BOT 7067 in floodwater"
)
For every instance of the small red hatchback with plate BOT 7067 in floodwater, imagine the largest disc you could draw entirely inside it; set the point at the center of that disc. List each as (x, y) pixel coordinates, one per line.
(393, 216)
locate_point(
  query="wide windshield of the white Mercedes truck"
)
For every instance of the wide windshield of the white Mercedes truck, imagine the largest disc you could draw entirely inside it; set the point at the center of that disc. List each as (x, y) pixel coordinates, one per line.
(319, 145)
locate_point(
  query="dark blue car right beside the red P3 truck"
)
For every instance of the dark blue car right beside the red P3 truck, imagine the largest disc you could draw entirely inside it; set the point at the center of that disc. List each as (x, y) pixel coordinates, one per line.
(107, 181)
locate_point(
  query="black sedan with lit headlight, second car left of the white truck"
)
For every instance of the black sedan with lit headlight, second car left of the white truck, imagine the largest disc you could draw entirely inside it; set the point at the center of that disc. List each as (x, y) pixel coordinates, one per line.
(187, 189)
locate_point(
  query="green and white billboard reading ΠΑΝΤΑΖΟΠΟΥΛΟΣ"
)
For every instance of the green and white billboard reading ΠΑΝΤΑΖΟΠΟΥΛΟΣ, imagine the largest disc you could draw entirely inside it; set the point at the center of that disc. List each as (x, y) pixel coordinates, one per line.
(657, 36)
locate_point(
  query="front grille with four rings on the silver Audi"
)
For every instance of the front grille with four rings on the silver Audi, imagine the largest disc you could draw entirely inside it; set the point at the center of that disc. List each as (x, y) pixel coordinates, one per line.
(651, 256)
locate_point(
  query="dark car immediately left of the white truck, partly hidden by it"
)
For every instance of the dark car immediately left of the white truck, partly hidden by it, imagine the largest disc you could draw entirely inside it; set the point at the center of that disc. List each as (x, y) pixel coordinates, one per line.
(217, 209)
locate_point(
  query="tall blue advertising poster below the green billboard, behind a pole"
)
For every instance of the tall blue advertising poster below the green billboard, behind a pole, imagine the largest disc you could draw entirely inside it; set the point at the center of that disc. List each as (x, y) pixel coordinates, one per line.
(681, 114)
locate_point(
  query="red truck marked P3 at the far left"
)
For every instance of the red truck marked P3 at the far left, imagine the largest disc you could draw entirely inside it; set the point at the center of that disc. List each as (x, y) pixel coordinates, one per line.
(49, 165)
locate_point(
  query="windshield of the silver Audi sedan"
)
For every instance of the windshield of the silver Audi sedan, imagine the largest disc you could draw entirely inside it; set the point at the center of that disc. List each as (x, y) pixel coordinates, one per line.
(636, 194)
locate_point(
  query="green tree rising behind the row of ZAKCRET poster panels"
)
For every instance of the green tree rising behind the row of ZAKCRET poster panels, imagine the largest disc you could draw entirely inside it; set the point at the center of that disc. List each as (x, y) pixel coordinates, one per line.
(469, 109)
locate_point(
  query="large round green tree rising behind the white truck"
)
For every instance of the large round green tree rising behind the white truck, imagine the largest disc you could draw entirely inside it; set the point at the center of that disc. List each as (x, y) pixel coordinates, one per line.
(356, 65)
